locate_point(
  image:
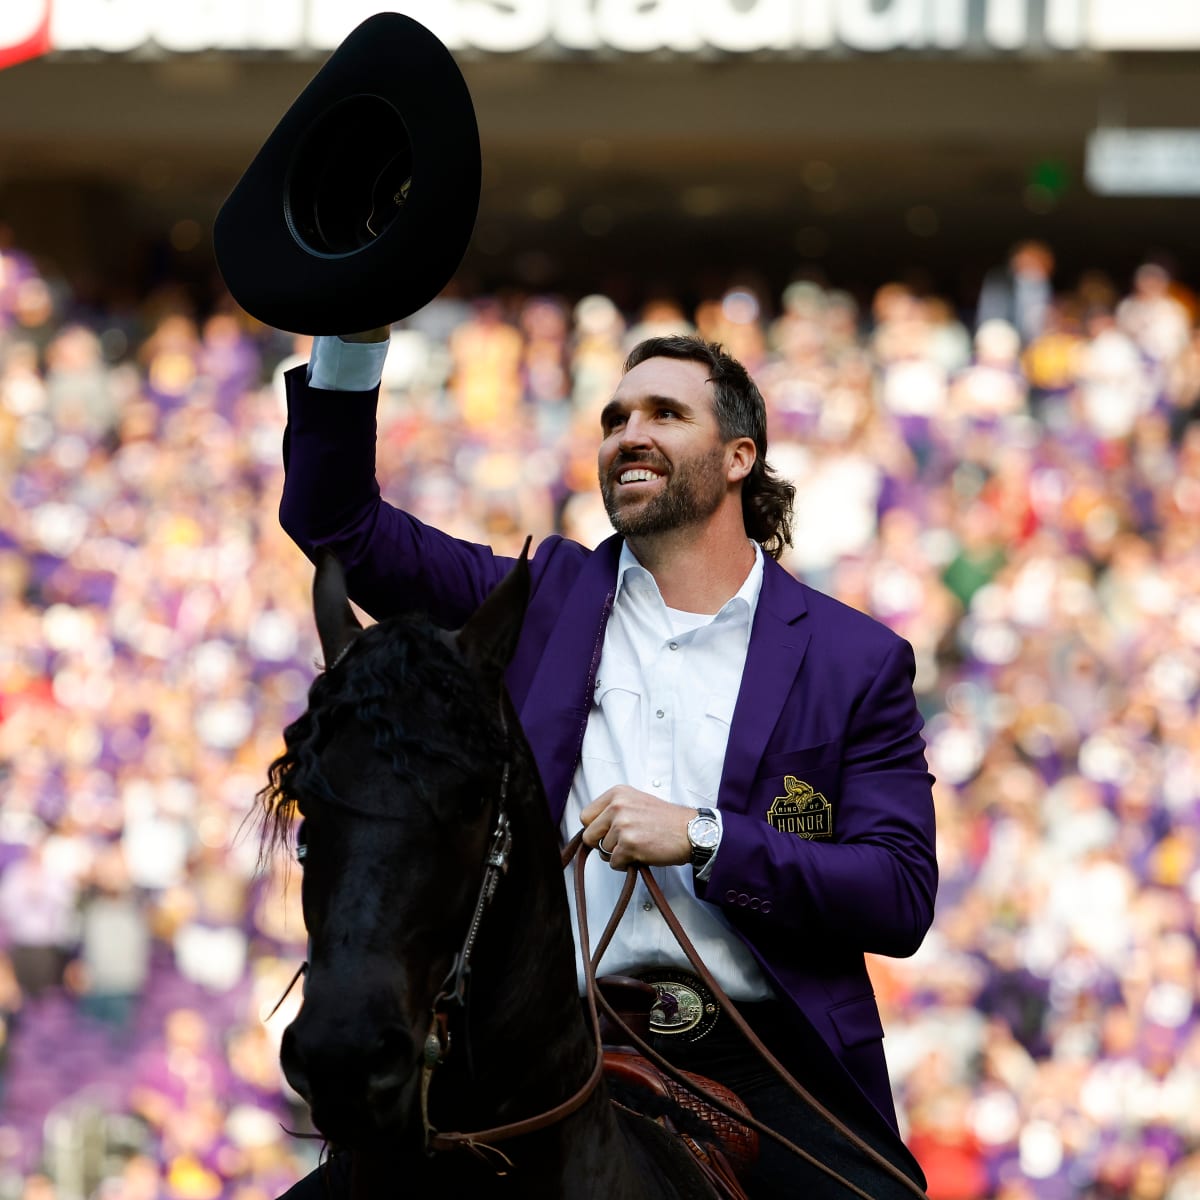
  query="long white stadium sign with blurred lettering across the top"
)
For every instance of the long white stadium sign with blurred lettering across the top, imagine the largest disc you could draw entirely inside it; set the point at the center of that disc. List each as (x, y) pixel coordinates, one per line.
(598, 27)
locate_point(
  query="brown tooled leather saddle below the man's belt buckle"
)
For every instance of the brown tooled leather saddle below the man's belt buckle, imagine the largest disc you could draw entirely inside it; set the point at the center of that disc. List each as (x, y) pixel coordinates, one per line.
(723, 1147)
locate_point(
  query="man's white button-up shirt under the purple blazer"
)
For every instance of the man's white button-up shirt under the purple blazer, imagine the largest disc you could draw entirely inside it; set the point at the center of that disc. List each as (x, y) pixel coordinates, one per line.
(661, 722)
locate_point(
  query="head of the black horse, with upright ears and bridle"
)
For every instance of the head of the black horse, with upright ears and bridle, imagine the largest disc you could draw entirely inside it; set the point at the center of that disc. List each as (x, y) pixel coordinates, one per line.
(399, 770)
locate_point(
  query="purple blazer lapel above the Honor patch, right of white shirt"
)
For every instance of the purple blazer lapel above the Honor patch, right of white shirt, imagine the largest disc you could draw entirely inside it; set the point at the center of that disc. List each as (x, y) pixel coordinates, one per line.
(778, 643)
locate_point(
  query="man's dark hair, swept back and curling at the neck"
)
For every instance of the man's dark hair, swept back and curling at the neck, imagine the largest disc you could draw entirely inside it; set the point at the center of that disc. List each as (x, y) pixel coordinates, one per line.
(741, 413)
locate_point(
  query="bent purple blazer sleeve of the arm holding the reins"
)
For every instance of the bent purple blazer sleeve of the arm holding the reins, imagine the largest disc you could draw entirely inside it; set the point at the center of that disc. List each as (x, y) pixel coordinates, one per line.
(873, 889)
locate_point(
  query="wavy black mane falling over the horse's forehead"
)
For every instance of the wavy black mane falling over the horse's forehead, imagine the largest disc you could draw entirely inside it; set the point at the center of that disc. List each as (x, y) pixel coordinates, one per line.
(446, 718)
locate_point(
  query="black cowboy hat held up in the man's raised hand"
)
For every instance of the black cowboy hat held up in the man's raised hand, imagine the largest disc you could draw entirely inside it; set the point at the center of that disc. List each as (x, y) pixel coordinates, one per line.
(361, 205)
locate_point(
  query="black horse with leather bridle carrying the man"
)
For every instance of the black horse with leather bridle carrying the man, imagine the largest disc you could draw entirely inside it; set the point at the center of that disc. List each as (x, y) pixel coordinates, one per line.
(430, 863)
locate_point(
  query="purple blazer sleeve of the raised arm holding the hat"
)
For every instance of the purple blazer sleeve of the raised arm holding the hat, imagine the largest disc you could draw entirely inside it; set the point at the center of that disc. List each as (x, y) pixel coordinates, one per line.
(393, 562)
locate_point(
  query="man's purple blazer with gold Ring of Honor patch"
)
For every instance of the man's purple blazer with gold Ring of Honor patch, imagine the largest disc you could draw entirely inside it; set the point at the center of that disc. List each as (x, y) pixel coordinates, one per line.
(826, 796)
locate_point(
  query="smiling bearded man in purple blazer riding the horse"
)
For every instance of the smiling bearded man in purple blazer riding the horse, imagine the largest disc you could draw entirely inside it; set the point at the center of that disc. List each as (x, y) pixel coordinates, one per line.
(694, 709)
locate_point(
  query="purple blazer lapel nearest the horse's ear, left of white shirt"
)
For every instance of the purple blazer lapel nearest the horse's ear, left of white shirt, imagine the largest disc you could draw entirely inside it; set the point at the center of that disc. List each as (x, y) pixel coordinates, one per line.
(557, 705)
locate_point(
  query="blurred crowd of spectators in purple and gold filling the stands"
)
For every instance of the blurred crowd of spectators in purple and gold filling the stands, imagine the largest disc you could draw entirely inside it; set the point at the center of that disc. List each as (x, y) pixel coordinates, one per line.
(1013, 489)
